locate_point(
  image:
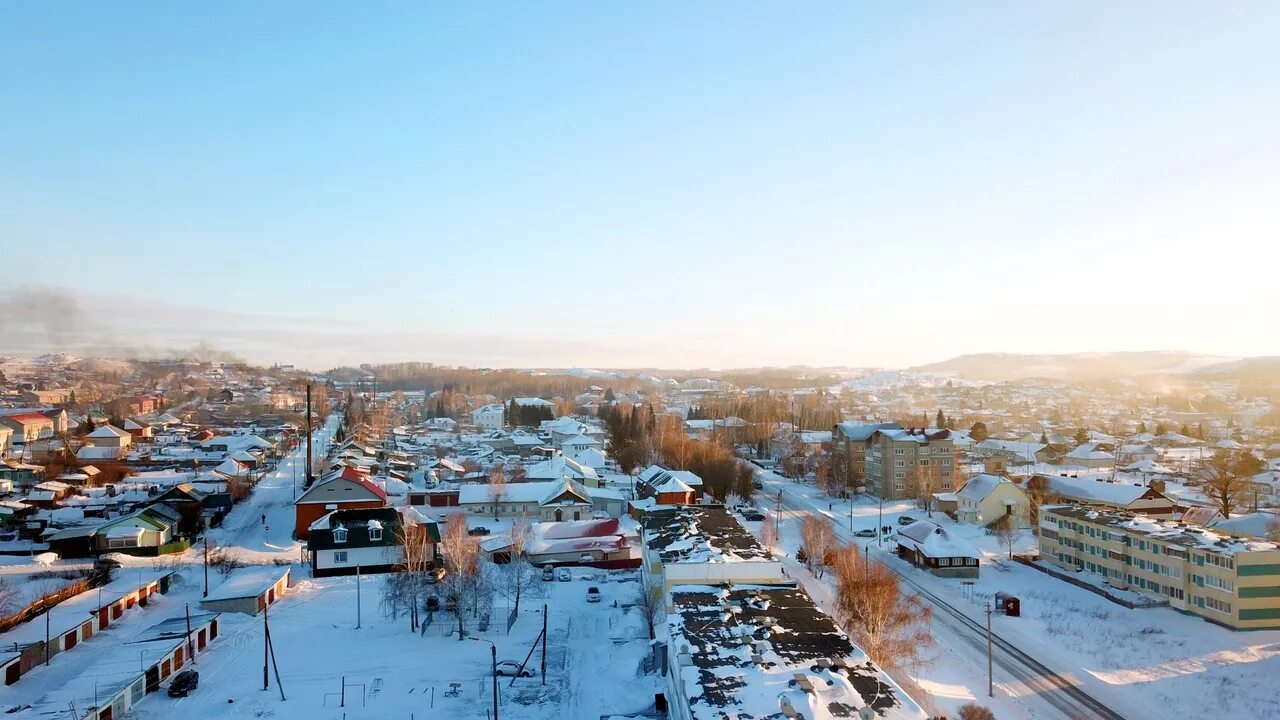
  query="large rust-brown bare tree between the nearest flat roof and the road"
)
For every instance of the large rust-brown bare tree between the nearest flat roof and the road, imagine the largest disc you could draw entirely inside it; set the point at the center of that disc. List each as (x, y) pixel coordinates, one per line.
(893, 628)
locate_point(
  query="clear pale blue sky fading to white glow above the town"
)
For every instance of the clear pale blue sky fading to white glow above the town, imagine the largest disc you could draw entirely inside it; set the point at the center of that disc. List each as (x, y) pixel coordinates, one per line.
(676, 185)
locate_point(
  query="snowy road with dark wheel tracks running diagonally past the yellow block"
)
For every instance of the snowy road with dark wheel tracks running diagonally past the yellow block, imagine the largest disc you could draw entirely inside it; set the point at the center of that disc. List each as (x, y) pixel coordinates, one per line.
(1058, 691)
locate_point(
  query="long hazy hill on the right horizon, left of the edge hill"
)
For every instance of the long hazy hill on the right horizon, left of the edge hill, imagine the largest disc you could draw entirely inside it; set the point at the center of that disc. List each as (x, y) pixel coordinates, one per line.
(1077, 367)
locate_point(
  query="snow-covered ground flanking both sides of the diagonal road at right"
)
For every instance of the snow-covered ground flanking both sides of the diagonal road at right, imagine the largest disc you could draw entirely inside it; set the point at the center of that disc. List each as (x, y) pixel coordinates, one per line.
(1141, 663)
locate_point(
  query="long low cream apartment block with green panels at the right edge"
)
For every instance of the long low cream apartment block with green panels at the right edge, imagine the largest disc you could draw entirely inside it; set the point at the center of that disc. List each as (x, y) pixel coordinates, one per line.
(1232, 582)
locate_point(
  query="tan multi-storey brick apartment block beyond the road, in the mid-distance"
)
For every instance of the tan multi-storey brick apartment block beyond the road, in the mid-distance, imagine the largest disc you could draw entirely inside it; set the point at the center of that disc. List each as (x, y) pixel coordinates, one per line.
(900, 463)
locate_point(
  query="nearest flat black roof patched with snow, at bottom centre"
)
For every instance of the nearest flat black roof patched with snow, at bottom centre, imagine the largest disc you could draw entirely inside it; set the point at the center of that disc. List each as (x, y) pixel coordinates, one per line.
(743, 650)
